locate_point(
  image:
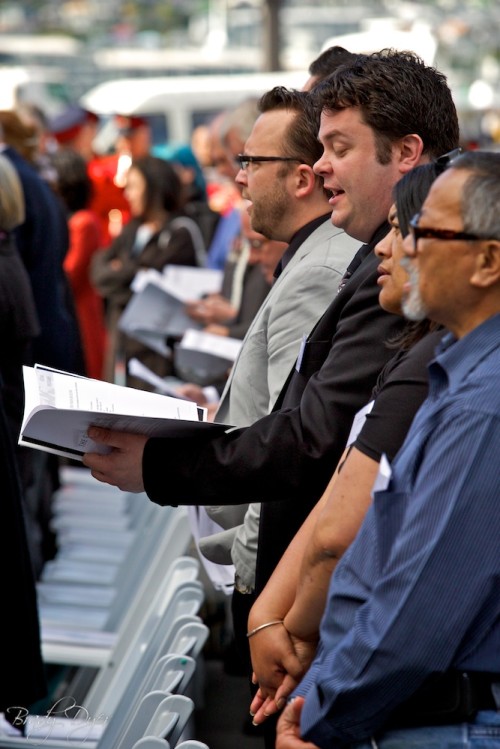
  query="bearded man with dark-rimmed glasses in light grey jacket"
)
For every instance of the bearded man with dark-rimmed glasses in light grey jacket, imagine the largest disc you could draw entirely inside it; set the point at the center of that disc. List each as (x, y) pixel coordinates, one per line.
(285, 202)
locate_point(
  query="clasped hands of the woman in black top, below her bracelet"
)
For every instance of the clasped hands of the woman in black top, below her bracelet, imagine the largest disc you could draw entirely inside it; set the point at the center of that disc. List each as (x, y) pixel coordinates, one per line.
(279, 661)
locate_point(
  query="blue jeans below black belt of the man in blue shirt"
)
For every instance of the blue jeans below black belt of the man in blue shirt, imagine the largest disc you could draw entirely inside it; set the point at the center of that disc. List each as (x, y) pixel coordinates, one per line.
(482, 733)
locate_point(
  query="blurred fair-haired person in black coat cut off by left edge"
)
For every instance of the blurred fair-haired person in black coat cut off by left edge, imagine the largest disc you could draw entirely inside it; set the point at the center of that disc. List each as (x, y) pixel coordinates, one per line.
(23, 678)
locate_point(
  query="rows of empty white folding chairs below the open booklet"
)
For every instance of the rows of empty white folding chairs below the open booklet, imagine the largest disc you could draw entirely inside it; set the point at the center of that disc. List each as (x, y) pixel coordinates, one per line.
(120, 605)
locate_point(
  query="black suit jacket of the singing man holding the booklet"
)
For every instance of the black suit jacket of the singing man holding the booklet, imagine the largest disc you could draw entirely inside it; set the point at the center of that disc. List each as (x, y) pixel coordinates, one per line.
(286, 459)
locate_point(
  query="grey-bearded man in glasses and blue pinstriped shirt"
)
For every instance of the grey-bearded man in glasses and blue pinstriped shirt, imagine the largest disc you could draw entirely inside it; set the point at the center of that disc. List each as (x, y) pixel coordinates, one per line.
(409, 653)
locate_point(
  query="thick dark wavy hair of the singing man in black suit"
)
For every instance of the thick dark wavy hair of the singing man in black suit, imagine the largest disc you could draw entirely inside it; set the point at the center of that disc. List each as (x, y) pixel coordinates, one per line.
(397, 94)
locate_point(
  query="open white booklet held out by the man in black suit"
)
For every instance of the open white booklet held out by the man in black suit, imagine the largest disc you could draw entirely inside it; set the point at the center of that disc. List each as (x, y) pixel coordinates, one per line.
(59, 408)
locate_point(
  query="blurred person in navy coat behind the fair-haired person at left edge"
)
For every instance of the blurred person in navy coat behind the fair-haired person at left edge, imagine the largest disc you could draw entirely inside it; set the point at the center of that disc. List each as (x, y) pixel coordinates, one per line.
(42, 241)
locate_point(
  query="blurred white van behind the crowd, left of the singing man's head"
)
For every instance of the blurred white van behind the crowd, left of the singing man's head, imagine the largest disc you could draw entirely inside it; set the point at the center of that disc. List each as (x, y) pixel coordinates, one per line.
(175, 105)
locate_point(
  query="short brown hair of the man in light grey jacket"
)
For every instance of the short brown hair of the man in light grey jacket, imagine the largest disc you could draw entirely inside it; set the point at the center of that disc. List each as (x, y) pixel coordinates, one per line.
(301, 136)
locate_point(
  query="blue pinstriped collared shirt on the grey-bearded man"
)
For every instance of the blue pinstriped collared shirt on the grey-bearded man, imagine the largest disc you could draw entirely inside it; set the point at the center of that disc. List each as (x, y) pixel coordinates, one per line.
(418, 591)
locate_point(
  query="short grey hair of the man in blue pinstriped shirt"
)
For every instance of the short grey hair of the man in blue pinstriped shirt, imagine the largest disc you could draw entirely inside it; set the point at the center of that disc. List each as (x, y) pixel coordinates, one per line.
(481, 192)
